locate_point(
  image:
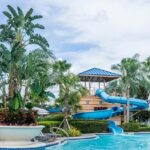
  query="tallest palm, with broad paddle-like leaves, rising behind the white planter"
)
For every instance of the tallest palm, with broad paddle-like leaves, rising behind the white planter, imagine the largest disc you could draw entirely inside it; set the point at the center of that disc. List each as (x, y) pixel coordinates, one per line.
(16, 38)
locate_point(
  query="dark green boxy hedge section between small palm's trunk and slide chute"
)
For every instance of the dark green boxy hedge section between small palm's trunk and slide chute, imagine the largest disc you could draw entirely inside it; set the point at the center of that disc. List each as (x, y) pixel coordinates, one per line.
(90, 126)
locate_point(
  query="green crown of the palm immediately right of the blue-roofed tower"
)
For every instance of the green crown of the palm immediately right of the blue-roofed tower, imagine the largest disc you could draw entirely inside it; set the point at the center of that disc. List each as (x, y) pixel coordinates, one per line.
(130, 69)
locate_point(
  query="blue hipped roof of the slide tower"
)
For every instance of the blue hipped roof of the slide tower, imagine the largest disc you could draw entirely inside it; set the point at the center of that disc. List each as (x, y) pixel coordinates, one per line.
(97, 75)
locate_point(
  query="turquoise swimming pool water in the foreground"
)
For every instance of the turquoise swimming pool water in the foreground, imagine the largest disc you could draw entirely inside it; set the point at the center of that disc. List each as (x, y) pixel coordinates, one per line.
(108, 142)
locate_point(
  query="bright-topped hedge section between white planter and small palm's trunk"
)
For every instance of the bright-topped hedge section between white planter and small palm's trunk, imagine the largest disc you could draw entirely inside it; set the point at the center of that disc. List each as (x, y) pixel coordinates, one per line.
(48, 125)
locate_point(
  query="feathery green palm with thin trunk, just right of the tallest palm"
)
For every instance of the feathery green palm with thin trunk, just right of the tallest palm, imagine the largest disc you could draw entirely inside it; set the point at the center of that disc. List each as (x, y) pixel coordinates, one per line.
(36, 64)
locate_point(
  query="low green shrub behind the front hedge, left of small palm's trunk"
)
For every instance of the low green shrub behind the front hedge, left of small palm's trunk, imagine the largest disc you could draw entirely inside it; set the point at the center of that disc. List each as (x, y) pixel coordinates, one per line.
(52, 117)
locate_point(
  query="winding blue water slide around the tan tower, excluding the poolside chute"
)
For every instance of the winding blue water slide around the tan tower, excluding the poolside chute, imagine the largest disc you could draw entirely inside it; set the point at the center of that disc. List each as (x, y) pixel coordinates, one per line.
(135, 104)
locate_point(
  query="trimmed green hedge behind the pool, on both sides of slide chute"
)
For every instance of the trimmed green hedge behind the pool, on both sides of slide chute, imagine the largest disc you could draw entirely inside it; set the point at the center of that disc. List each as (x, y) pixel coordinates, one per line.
(94, 126)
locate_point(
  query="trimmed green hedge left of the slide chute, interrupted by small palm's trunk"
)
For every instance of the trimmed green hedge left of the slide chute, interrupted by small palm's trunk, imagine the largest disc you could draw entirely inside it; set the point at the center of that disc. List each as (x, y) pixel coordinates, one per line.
(85, 126)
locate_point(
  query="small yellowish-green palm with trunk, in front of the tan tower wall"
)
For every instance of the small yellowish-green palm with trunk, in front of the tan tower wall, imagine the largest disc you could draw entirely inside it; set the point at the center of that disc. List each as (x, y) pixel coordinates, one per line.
(71, 93)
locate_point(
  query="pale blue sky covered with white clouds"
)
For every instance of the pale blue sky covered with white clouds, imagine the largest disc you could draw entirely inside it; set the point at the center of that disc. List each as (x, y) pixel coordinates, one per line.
(92, 33)
